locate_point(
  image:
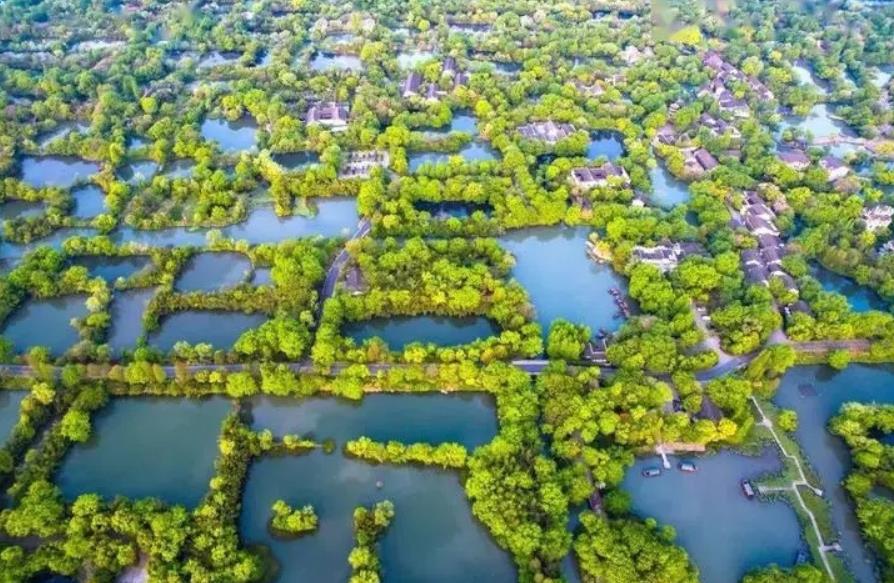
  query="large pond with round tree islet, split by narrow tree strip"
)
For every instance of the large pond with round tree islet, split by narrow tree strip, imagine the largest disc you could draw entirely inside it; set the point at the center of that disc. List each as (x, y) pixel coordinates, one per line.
(433, 517)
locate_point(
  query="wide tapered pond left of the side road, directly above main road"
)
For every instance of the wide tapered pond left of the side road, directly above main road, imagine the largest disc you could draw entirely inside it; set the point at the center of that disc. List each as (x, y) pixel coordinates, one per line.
(217, 328)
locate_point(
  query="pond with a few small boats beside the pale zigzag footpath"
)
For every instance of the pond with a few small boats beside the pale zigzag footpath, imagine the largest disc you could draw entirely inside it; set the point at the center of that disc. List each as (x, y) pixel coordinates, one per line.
(725, 533)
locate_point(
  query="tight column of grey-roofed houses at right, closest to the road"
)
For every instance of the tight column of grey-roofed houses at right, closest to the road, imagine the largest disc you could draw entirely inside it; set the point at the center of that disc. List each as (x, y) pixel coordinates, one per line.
(764, 262)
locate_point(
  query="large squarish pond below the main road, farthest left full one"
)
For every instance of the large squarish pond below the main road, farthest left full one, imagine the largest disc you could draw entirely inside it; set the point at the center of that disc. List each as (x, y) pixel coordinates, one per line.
(145, 447)
